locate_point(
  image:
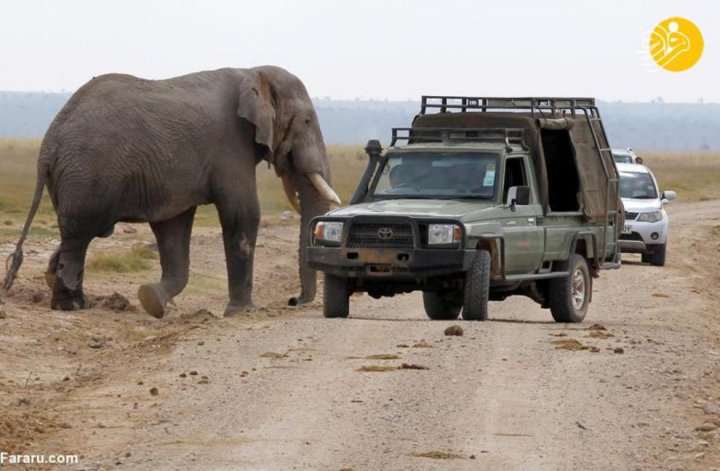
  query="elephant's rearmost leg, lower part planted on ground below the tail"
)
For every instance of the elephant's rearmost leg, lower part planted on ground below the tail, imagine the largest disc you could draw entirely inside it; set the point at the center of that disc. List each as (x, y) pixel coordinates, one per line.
(69, 272)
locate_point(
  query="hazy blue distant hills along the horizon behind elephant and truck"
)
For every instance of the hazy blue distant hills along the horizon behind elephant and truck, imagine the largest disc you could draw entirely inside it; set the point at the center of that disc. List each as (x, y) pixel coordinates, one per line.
(654, 125)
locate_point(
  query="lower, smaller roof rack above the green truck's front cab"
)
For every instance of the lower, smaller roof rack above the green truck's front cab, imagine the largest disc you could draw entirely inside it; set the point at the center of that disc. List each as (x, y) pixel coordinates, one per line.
(502, 135)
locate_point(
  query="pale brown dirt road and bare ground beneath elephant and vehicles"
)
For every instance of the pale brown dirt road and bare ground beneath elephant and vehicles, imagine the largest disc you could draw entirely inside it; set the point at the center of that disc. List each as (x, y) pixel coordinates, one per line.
(283, 388)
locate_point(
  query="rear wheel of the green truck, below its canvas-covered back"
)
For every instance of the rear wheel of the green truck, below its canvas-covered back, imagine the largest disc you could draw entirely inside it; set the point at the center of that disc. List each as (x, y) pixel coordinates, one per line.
(569, 296)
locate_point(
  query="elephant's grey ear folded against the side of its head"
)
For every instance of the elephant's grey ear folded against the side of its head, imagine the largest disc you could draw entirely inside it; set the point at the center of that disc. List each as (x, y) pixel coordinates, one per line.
(256, 105)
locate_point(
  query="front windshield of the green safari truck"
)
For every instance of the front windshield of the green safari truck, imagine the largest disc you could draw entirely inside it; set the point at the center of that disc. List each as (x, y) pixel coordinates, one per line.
(437, 175)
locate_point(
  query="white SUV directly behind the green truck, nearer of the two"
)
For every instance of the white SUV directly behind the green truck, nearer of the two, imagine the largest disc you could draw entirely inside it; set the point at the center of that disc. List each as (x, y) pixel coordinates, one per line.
(646, 222)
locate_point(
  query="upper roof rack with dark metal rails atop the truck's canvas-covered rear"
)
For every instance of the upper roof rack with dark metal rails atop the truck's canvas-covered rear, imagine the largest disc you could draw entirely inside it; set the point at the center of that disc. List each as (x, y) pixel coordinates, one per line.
(532, 105)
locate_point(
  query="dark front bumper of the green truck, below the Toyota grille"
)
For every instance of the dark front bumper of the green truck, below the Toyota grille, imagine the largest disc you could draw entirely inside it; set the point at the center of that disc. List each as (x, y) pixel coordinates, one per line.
(404, 264)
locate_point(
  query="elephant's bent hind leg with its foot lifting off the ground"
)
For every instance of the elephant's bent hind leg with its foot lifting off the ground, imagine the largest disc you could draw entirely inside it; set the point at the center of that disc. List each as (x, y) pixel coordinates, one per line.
(173, 239)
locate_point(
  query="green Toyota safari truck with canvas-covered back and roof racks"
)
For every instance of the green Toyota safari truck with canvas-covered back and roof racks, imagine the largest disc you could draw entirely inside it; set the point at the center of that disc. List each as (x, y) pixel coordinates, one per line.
(481, 199)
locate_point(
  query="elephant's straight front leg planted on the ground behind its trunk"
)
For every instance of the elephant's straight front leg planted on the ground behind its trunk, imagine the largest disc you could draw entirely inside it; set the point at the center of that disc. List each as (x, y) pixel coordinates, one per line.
(240, 228)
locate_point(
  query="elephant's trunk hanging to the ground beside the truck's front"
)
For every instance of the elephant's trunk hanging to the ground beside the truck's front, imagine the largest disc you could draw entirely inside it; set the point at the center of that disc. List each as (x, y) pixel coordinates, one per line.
(312, 203)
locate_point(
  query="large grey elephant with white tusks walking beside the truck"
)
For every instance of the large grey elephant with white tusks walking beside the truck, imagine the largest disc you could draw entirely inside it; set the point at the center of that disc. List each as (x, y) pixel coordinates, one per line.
(126, 149)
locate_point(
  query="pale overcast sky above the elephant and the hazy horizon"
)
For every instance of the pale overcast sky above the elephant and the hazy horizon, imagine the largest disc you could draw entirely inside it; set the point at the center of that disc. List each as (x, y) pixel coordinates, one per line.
(368, 49)
